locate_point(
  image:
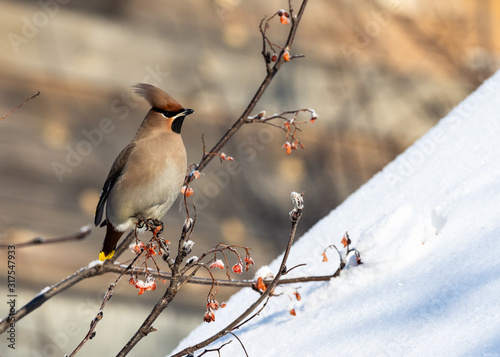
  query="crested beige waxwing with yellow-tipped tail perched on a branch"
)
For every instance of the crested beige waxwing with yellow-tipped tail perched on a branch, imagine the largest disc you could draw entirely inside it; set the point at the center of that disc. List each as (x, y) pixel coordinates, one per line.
(148, 174)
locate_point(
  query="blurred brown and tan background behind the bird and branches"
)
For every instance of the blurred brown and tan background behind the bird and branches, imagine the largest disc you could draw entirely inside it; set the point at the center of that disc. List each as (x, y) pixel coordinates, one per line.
(378, 73)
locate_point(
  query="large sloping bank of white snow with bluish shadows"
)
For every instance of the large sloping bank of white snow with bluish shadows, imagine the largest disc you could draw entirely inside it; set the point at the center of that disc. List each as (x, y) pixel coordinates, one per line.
(427, 228)
